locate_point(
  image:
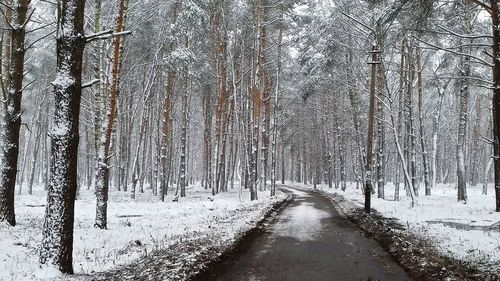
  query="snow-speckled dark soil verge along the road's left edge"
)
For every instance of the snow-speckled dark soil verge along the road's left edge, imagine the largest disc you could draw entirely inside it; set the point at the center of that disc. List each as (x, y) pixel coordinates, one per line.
(185, 260)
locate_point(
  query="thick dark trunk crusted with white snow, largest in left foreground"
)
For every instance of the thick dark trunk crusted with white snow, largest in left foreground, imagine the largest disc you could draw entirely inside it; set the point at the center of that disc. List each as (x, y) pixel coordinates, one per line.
(57, 242)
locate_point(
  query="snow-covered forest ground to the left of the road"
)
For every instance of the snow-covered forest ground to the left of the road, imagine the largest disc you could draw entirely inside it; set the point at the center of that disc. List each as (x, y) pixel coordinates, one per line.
(135, 228)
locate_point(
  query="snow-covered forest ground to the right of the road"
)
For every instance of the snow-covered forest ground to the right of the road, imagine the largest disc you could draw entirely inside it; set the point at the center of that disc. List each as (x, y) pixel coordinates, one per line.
(456, 229)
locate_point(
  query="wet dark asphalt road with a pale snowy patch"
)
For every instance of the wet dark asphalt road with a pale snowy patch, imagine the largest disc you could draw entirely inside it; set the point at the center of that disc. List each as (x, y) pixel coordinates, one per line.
(310, 241)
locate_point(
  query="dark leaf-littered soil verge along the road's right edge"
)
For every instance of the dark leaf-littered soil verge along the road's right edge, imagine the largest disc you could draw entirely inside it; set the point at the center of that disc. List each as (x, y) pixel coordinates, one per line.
(415, 254)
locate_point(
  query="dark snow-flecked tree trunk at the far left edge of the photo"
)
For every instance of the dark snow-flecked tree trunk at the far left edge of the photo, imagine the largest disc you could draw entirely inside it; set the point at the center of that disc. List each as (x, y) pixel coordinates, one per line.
(12, 93)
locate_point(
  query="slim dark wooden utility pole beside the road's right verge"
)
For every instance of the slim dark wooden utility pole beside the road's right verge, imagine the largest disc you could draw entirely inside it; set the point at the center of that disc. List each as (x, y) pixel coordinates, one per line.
(371, 118)
